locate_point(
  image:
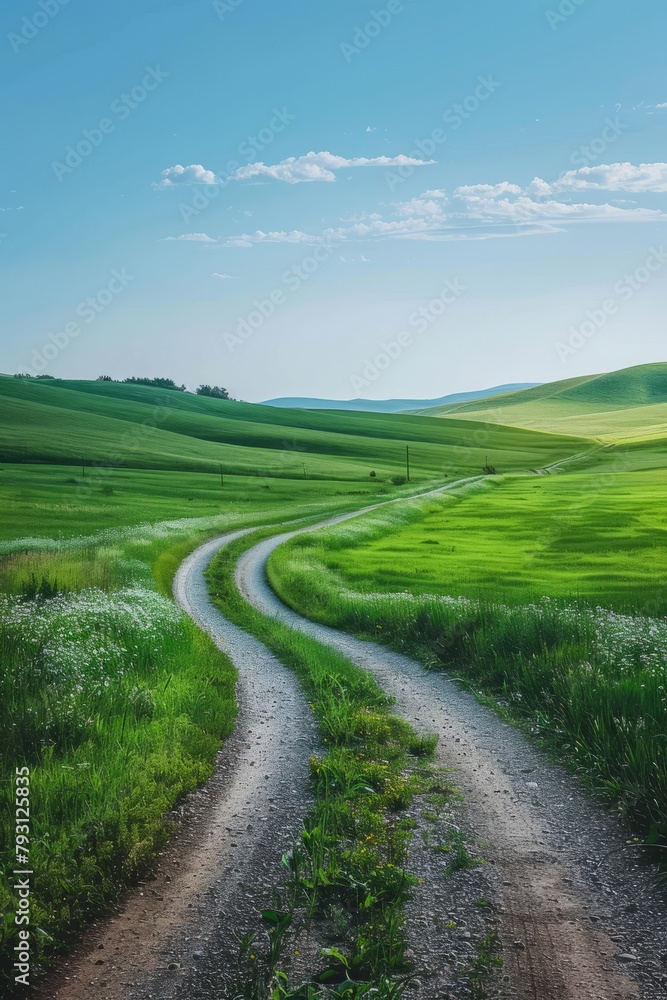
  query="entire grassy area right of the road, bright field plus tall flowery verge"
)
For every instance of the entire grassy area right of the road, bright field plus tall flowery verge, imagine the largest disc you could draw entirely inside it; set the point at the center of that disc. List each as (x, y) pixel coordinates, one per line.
(548, 594)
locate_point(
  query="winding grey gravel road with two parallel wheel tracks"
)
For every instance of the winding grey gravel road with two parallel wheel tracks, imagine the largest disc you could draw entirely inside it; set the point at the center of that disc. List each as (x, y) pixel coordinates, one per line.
(577, 915)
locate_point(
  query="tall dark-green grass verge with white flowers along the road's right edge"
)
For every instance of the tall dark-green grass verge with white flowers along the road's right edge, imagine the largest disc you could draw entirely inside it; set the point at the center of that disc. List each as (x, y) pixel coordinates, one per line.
(585, 680)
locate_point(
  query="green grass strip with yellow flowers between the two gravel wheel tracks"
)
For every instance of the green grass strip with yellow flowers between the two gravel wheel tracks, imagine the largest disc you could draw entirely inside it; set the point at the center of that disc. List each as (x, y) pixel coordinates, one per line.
(352, 856)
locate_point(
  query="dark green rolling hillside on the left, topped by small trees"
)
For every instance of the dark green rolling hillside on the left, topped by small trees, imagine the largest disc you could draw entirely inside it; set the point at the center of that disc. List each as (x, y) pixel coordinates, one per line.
(135, 426)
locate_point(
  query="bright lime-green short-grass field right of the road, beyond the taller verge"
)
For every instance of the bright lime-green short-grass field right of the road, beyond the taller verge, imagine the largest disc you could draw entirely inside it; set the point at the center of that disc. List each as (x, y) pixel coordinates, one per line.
(569, 536)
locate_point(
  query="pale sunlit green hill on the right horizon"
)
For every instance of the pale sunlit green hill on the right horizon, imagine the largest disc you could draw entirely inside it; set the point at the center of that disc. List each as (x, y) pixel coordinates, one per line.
(615, 405)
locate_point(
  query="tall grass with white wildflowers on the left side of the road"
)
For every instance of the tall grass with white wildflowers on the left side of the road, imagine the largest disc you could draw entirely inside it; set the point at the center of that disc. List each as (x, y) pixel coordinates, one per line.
(115, 701)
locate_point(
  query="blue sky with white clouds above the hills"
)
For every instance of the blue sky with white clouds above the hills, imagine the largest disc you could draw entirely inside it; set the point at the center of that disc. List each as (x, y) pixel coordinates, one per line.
(336, 199)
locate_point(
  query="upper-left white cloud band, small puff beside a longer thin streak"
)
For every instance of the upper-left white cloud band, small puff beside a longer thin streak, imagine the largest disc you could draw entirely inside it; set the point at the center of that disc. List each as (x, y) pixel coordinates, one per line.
(294, 170)
